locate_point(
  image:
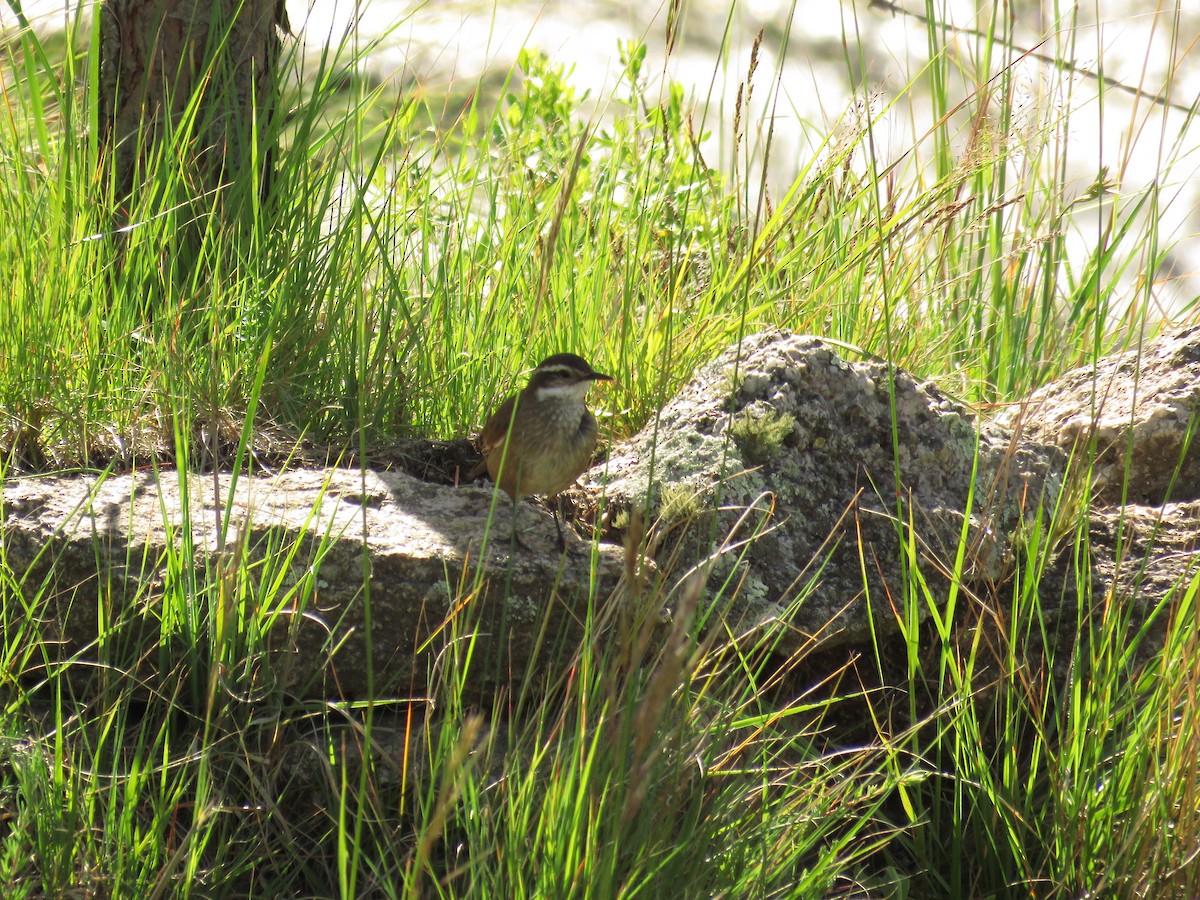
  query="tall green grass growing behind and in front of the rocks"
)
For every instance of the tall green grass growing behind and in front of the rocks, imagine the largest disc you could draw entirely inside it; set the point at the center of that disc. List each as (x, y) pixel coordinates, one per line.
(406, 267)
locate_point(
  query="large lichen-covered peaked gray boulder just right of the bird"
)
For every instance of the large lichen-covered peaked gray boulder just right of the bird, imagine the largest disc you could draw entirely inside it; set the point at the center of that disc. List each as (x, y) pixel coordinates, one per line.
(788, 430)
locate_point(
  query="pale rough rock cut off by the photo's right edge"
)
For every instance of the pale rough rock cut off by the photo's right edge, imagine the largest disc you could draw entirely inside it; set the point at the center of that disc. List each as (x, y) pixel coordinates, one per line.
(1129, 425)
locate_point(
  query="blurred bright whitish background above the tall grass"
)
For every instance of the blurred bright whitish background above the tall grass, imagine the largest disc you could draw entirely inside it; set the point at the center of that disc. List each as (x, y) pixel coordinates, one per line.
(830, 57)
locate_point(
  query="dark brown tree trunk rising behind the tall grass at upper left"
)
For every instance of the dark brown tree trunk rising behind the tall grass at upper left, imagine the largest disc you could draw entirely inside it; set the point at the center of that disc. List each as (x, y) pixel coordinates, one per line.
(200, 70)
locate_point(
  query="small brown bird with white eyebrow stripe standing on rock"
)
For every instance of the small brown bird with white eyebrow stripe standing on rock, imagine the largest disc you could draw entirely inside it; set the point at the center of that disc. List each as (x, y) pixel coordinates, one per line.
(542, 440)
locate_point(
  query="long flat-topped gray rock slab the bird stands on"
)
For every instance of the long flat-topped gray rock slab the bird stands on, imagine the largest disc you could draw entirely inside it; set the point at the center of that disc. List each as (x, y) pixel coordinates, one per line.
(109, 551)
